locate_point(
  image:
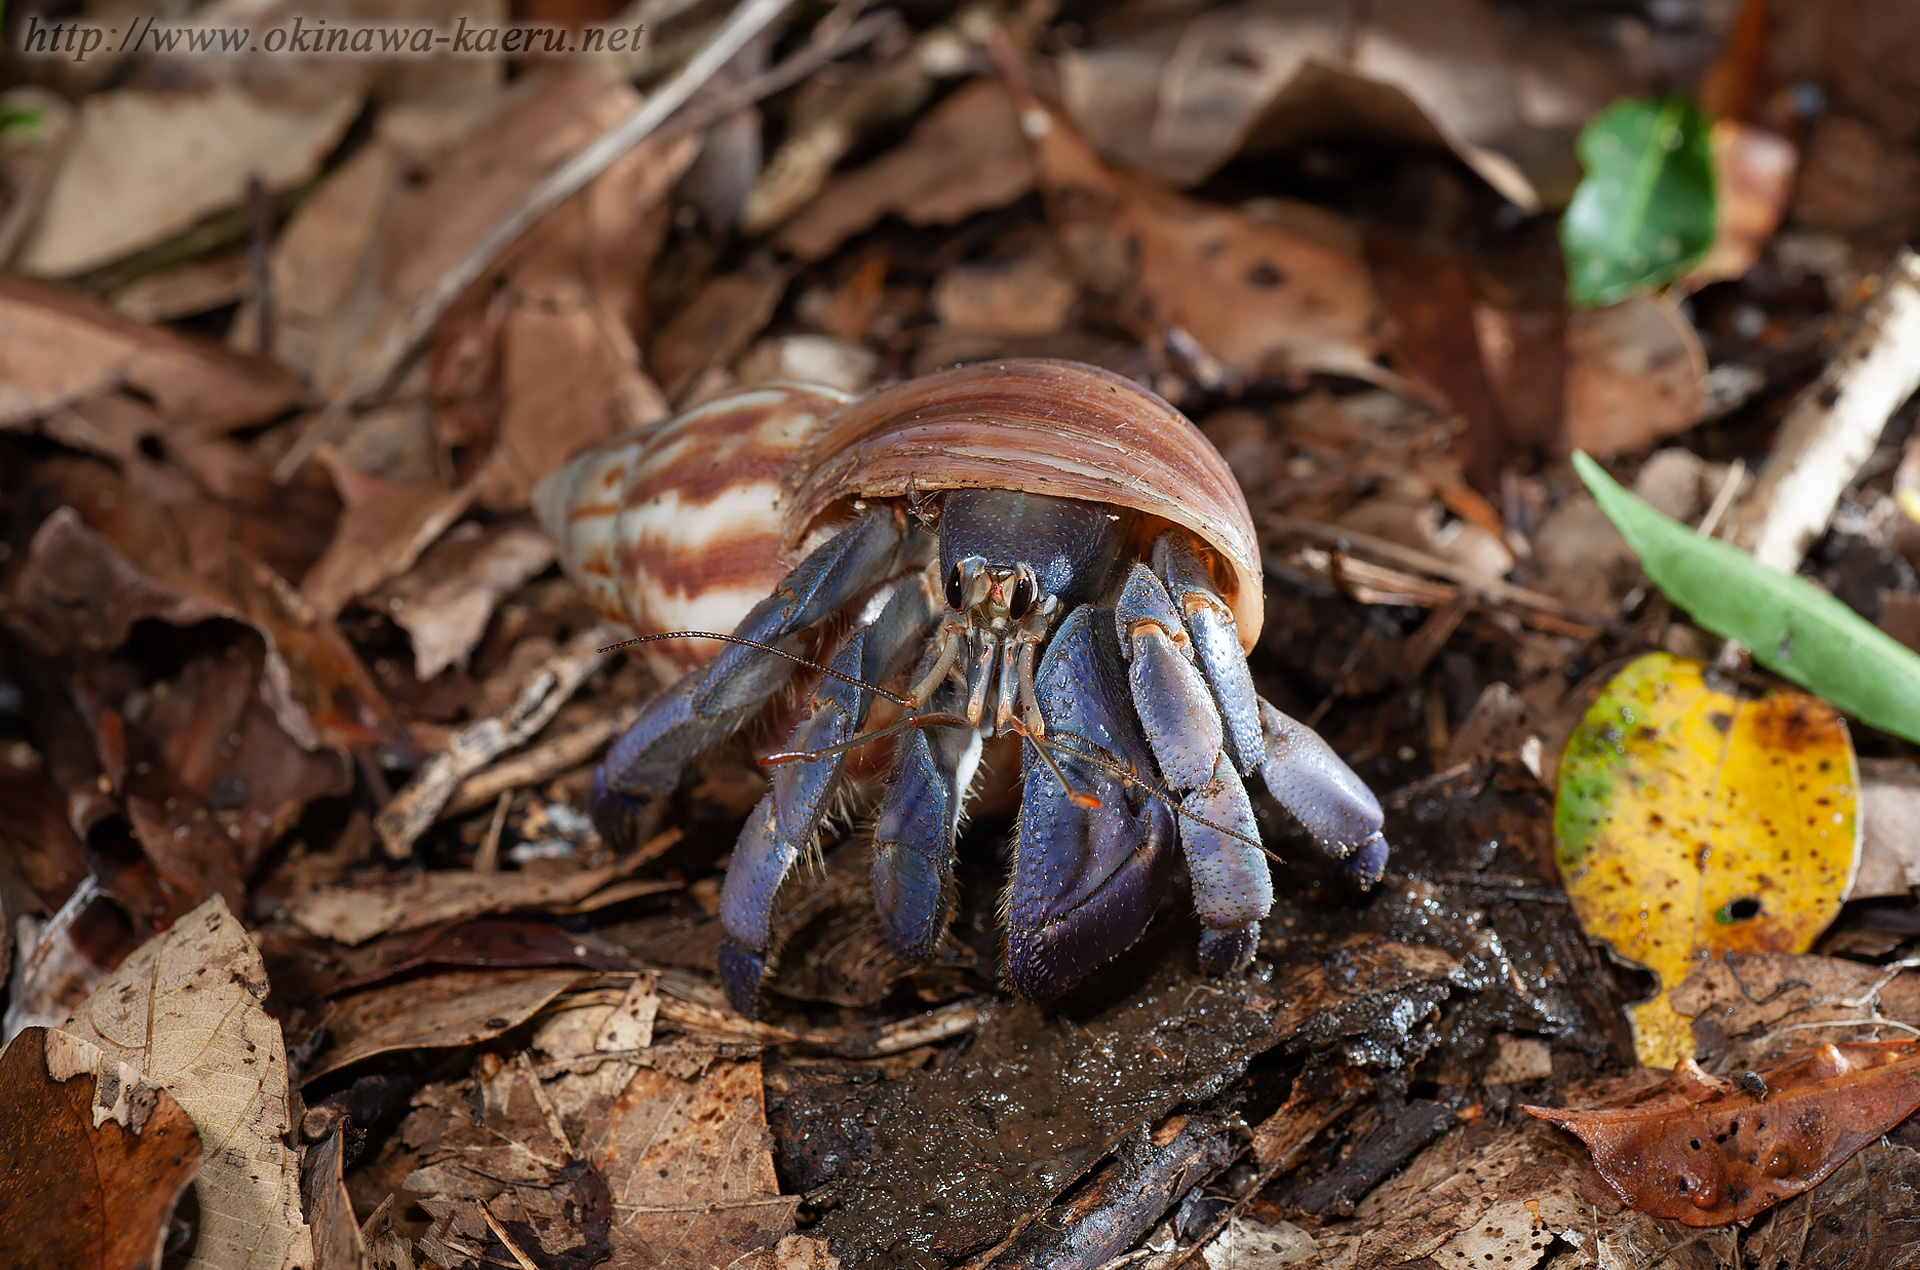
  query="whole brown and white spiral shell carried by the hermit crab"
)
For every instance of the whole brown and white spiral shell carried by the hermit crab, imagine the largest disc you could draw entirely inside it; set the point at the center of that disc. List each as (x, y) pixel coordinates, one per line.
(688, 524)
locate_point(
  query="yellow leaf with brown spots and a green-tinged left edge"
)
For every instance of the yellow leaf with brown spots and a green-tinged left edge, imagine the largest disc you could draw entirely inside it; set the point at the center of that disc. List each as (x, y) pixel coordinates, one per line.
(1694, 821)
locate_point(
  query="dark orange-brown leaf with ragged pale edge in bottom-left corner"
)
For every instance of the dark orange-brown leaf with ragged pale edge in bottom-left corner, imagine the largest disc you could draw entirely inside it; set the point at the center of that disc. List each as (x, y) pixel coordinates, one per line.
(93, 1158)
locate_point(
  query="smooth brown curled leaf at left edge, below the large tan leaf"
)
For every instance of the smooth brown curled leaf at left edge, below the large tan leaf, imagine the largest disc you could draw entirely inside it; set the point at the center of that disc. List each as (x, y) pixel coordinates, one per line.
(60, 349)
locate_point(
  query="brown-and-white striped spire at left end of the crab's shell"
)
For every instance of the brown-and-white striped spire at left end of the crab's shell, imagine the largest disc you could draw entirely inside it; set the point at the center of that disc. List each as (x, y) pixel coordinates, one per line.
(679, 525)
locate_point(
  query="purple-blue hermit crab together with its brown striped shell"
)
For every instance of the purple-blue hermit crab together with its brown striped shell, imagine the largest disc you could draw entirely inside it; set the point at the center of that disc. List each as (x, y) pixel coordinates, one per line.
(1034, 549)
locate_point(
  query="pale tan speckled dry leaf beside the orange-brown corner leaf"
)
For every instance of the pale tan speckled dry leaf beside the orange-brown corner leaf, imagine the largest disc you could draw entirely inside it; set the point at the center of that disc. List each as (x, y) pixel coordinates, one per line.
(185, 1012)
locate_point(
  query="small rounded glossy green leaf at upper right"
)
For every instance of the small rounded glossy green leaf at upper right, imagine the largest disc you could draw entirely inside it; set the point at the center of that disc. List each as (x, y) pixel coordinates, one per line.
(1644, 212)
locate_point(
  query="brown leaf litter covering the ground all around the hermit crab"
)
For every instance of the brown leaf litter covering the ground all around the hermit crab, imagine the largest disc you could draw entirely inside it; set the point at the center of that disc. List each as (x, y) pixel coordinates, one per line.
(347, 720)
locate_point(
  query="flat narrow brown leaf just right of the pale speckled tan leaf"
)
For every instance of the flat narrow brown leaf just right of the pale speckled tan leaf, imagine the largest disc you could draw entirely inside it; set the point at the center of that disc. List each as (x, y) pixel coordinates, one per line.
(441, 1012)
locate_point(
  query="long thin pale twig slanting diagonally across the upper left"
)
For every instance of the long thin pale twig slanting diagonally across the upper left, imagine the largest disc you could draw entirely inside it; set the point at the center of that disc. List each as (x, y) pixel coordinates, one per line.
(742, 26)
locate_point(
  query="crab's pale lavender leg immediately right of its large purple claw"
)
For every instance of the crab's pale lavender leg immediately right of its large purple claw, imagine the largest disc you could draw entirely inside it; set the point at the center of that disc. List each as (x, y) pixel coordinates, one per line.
(1230, 873)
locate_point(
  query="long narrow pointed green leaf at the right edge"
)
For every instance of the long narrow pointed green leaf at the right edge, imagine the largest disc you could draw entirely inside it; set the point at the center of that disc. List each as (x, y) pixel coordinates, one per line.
(1792, 627)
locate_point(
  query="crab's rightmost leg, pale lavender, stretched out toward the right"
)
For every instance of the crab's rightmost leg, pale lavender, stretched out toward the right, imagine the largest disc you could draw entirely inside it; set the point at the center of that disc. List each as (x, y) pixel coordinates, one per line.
(1301, 769)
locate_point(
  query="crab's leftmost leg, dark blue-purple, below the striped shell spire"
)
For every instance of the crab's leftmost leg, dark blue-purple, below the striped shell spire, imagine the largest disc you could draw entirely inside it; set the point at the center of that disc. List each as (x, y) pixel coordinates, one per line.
(709, 704)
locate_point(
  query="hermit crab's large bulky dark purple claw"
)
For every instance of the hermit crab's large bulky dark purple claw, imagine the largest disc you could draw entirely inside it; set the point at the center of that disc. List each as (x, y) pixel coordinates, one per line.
(1086, 879)
